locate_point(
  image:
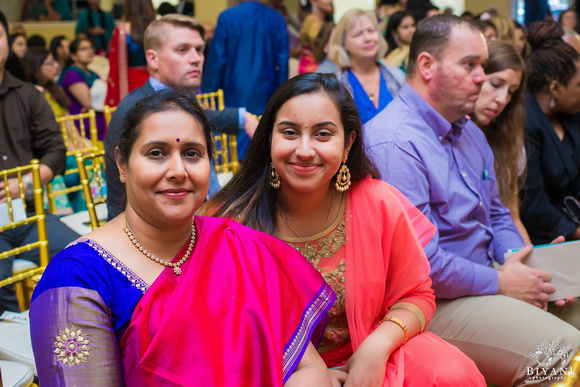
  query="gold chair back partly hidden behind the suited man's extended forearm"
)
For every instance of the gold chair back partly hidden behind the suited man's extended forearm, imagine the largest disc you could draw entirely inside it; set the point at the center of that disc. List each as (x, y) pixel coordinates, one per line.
(226, 146)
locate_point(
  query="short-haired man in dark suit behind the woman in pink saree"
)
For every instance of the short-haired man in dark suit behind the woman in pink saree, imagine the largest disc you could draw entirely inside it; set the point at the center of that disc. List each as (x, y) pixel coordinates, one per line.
(168, 71)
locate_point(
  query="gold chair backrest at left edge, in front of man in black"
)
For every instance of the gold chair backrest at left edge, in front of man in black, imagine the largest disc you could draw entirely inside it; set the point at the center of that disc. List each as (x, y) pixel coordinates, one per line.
(15, 204)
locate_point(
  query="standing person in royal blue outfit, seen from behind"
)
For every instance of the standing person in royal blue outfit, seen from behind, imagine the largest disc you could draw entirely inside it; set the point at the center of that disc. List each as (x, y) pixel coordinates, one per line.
(248, 58)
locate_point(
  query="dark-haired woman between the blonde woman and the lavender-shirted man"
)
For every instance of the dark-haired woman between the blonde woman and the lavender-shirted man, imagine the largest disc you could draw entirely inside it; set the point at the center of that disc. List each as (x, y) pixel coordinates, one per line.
(399, 33)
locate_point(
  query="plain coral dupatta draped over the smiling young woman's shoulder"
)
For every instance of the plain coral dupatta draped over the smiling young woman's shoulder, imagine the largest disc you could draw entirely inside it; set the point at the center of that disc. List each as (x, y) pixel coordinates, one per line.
(385, 262)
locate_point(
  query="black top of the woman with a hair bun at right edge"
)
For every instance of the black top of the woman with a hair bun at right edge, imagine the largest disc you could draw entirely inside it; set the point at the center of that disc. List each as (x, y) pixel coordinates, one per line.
(553, 173)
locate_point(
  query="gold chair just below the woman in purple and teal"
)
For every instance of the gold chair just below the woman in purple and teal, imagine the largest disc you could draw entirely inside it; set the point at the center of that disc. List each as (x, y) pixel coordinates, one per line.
(74, 130)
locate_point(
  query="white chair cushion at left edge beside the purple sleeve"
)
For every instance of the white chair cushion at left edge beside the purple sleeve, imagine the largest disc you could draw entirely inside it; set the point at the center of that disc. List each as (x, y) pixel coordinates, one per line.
(15, 344)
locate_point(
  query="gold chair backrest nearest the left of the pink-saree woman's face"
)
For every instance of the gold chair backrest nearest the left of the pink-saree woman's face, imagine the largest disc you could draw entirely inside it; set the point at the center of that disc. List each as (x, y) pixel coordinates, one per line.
(92, 173)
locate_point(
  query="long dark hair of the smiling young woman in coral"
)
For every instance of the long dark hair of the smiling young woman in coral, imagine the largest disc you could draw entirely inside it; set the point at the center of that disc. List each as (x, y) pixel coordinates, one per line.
(248, 197)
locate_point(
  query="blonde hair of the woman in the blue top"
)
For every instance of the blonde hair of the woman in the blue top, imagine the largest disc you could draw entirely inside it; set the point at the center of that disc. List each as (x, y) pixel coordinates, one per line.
(337, 53)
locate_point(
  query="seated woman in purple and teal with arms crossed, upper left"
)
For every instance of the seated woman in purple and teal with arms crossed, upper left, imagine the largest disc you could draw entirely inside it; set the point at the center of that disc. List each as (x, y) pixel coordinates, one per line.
(83, 87)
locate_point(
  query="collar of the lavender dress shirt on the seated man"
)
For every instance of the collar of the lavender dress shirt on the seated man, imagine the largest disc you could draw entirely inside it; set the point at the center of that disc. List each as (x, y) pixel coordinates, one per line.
(440, 126)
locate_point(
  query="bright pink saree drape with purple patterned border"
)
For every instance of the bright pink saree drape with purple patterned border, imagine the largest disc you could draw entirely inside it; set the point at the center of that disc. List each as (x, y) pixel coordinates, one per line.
(241, 314)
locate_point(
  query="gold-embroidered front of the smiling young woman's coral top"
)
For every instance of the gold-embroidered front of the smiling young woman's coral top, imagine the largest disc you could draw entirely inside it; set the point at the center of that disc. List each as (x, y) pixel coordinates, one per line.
(336, 333)
